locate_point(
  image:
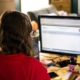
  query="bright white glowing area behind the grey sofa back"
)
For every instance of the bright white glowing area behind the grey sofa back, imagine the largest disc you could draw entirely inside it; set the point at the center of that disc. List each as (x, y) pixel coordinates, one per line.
(27, 5)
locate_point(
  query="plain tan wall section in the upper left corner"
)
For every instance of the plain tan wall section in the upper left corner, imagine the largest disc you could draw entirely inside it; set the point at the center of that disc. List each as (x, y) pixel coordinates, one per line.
(7, 5)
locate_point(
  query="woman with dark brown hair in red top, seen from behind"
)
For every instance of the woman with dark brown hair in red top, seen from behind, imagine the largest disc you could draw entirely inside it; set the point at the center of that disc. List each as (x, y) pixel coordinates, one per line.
(16, 62)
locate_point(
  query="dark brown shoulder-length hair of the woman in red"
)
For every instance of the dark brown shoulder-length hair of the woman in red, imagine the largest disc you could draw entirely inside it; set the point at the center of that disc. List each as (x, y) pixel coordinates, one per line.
(15, 33)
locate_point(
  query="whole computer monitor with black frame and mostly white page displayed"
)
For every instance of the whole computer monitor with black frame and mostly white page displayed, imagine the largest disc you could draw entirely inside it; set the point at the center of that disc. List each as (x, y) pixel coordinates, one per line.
(59, 34)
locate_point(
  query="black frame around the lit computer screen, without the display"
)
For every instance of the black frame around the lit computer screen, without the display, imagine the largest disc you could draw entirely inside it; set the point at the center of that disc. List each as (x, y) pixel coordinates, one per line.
(55, 17)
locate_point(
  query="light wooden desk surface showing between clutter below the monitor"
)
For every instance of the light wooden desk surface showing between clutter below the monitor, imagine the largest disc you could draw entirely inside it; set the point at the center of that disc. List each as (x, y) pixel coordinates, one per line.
(60, 71)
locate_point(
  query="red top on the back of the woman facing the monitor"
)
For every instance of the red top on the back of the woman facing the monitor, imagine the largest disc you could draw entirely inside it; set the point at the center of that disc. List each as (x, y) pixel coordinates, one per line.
(21, 67)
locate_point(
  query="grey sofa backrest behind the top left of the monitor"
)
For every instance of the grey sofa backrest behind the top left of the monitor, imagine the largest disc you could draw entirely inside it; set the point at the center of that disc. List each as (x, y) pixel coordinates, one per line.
(47, 10)
